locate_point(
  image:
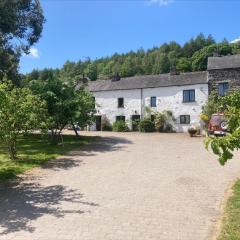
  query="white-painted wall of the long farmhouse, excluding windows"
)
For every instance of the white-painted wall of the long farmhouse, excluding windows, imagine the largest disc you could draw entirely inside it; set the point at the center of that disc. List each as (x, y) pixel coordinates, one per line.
(168, 98)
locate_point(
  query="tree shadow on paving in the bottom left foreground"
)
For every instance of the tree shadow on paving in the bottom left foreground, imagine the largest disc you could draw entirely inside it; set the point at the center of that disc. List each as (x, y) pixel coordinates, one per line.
(22, 203)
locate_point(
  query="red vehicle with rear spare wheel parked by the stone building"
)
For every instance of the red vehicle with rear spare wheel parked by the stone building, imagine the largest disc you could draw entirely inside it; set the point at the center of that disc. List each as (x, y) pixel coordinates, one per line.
(218, 125)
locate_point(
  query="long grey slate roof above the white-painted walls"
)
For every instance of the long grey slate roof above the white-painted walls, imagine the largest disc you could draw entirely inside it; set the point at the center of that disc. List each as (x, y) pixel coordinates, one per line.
(149, 81)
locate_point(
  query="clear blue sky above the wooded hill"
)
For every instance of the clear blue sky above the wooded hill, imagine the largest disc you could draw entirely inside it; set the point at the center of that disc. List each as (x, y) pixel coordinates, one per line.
(76, 29)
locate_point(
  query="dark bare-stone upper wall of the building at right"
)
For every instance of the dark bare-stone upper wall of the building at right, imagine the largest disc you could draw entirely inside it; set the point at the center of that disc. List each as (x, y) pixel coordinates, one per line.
(224, 75)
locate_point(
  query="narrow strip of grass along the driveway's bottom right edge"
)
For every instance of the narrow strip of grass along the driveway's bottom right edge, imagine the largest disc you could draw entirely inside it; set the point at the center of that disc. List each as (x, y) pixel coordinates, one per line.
(231, 220)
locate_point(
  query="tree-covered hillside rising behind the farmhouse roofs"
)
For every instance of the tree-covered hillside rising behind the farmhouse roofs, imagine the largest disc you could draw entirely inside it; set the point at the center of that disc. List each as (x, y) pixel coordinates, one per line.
(192, 56)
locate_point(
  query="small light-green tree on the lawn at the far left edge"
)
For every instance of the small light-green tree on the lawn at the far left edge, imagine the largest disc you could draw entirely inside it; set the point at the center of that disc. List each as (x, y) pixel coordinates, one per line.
(20, 112)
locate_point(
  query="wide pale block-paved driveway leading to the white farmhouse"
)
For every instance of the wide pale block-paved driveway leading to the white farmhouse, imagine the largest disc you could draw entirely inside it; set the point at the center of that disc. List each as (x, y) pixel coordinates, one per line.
(126, 186)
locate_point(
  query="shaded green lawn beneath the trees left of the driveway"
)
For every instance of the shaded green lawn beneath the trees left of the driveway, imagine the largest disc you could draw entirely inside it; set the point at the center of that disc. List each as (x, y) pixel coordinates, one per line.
(33, 151)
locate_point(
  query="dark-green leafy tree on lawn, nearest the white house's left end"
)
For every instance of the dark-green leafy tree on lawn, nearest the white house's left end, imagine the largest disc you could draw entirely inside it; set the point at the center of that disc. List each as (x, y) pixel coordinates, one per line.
(65, 104)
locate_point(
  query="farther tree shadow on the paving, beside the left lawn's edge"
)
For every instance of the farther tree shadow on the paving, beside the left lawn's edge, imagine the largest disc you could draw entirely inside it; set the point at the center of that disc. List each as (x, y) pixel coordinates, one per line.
(100, 145)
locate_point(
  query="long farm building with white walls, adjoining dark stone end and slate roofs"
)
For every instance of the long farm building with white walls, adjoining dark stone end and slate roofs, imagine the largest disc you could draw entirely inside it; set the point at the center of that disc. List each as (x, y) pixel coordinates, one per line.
(184, 94)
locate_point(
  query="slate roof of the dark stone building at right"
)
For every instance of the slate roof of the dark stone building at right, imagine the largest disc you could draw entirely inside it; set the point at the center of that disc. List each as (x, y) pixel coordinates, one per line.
(224, 62)
